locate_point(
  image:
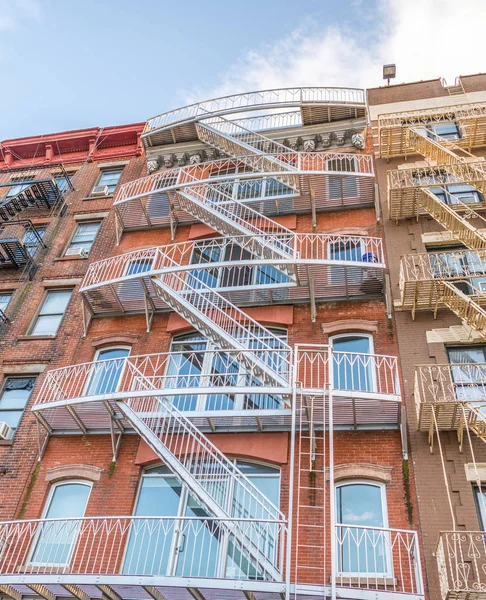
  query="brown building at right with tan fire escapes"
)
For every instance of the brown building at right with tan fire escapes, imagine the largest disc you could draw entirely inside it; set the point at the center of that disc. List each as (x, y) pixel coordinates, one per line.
(430, 147)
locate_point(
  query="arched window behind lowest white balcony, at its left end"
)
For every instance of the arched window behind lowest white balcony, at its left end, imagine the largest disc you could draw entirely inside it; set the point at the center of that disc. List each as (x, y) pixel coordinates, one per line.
(56, 540)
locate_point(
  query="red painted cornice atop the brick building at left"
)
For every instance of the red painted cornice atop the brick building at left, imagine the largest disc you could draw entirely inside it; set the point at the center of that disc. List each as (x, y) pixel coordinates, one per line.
(69, 147)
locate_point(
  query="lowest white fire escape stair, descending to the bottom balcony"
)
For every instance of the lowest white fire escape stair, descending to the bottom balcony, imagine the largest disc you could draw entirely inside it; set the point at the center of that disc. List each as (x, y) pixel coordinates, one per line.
(227, 494)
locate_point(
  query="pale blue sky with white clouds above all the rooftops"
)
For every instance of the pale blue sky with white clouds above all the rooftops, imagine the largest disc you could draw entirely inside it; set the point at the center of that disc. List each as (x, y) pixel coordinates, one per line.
(68, 64)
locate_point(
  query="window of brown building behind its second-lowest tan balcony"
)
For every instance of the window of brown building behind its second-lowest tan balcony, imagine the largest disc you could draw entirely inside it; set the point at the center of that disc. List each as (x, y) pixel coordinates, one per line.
(468, 372)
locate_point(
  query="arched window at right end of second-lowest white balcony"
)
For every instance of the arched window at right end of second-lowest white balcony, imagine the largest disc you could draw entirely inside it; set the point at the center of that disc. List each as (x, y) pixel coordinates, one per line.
(354, 365)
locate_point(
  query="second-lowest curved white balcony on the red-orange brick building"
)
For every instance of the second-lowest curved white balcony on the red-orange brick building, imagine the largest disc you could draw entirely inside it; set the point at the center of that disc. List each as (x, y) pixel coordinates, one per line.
(220, 391)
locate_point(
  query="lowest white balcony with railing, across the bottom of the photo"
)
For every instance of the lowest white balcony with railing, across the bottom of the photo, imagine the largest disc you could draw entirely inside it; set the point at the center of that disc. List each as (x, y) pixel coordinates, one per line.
(162, 557)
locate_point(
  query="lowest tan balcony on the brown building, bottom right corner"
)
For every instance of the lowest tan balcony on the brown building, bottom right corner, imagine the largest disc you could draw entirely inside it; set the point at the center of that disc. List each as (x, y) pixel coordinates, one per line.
(461, 559)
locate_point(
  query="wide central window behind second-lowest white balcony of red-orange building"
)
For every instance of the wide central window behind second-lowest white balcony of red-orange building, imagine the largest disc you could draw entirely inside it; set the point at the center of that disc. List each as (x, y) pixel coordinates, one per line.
(196, 363)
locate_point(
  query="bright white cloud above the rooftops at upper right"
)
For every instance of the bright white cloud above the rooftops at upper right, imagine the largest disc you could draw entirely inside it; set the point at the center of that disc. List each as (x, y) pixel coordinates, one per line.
(425, 38)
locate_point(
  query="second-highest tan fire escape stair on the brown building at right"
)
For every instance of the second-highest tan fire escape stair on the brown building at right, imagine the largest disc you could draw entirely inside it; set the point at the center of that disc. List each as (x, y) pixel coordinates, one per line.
(453, 221)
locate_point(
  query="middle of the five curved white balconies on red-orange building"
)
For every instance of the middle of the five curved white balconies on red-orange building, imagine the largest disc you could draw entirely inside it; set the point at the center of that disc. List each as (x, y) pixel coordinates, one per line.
(322, 267)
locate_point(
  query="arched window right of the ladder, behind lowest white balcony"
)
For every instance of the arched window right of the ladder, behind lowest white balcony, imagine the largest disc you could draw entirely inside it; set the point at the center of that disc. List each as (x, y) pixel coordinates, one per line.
(360, 507)
